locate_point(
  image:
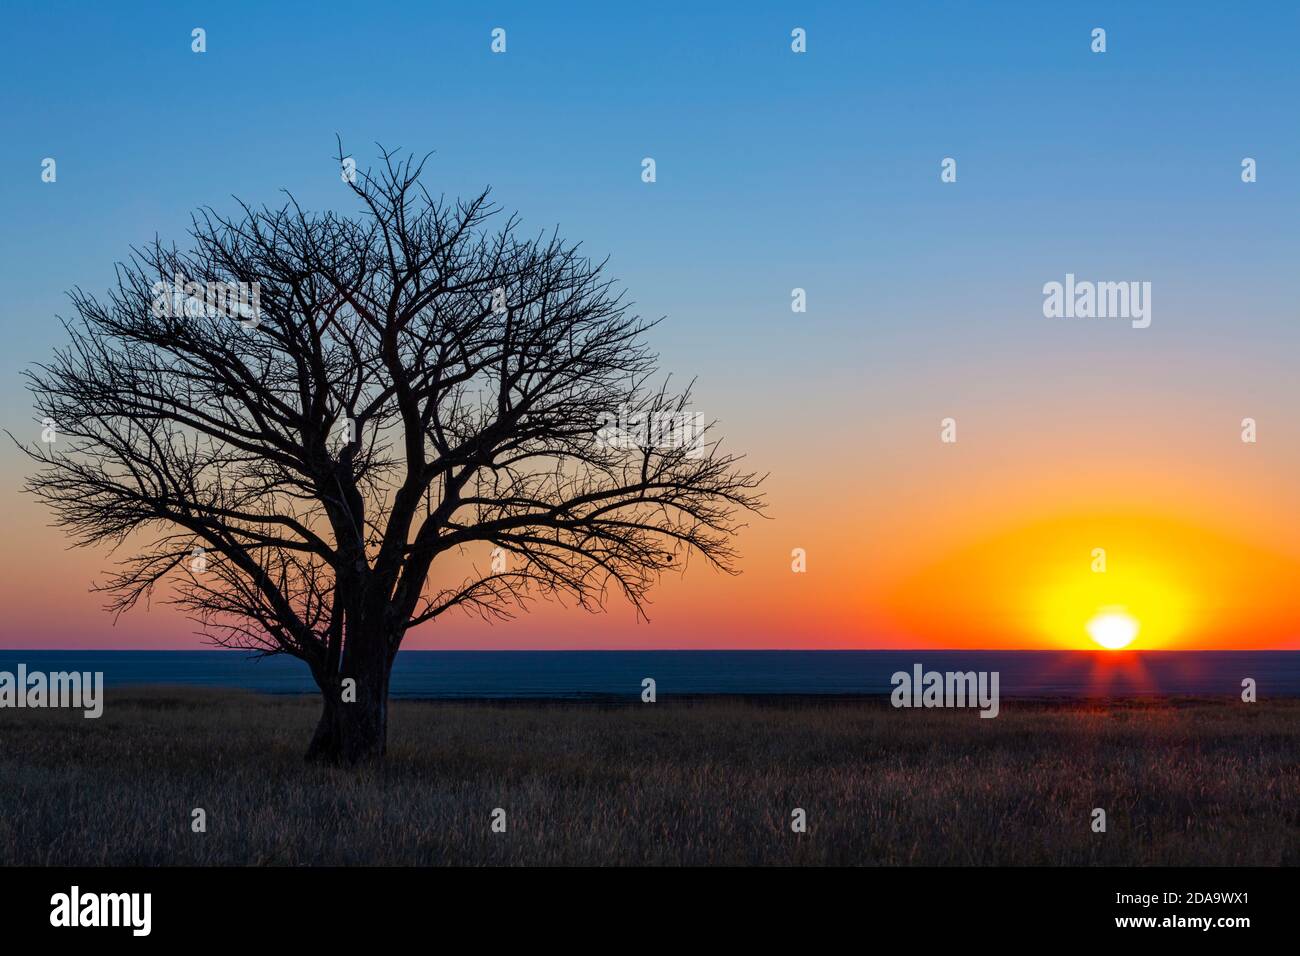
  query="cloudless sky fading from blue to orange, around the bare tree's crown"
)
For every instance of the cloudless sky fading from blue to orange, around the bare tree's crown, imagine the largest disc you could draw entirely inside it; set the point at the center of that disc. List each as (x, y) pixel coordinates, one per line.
(775, 171)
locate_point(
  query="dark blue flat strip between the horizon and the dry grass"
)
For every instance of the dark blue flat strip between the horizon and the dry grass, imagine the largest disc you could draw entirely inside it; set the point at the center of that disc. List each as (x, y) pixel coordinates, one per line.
(590, 673)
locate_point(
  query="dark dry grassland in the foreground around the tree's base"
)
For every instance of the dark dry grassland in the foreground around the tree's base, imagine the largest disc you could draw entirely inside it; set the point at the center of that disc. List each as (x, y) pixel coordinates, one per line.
(675, 782)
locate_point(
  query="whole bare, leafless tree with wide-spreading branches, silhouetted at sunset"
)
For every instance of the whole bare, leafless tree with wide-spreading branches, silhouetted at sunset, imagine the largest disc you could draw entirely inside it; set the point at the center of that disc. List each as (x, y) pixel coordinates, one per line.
(408, 388)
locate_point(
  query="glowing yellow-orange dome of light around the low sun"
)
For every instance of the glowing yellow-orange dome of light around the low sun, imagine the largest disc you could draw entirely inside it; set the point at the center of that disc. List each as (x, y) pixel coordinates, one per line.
(1042, 585)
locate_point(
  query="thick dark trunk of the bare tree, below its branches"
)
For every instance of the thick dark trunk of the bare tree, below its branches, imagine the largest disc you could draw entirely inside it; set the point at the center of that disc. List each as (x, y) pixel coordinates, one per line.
(354, 725)
